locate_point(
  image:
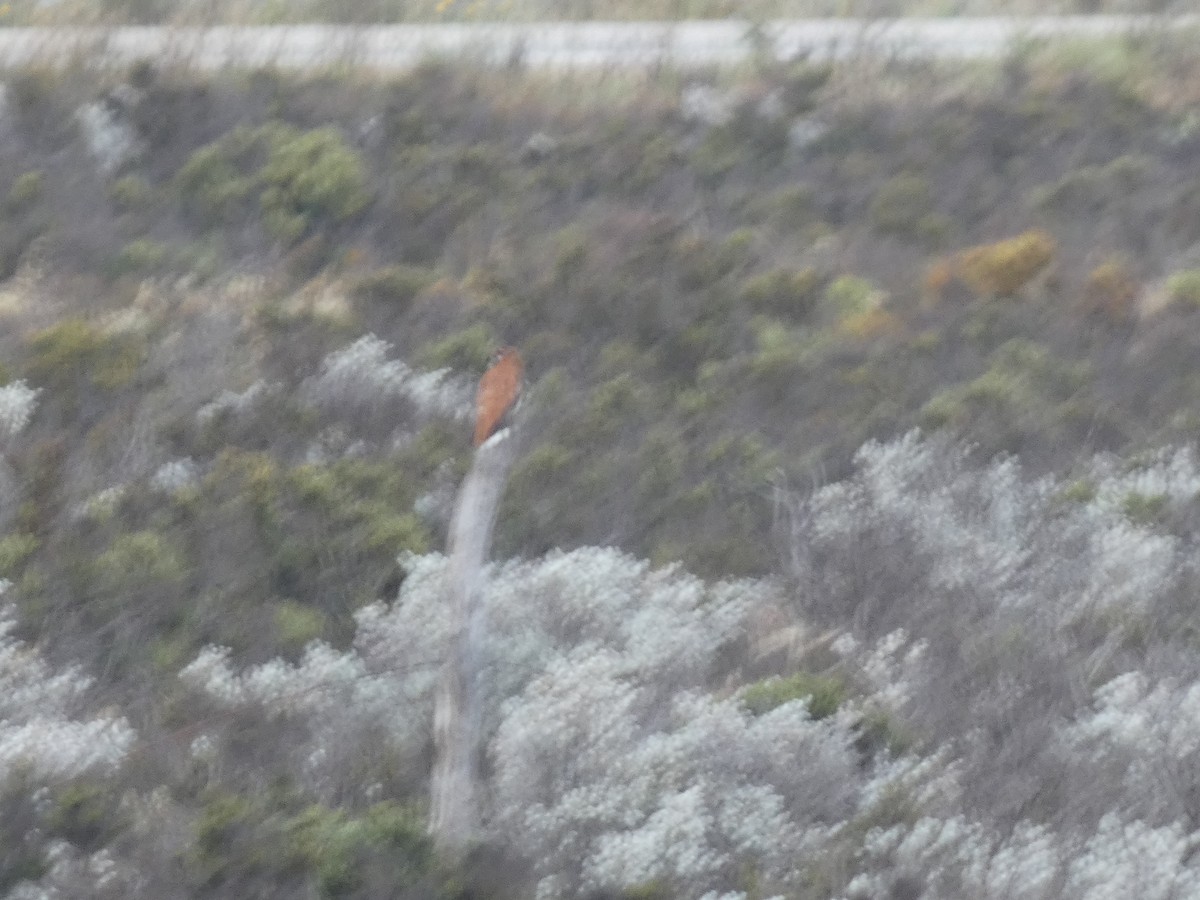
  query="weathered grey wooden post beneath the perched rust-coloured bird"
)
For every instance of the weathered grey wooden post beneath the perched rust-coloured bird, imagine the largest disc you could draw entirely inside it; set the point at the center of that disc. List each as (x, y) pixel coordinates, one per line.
(457, 789)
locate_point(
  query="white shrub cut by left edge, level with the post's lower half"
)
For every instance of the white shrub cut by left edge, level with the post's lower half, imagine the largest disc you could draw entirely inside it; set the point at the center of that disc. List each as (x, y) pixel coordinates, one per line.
(40, 734)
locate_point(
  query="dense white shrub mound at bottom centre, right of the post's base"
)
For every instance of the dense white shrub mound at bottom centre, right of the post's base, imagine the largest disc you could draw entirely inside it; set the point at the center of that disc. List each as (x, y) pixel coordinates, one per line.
(611, 785)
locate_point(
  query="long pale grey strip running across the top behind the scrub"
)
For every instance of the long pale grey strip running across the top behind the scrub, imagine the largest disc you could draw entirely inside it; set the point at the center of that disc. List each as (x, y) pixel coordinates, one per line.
(567, 45)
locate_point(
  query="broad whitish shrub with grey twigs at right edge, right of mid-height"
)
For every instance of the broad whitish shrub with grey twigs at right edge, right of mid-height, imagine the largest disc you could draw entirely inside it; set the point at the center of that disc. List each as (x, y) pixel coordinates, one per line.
(1022, 592)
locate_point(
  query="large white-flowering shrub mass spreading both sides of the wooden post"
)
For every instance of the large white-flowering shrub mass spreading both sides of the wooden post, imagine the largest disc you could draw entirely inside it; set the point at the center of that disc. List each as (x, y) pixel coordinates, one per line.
(614, 763)
